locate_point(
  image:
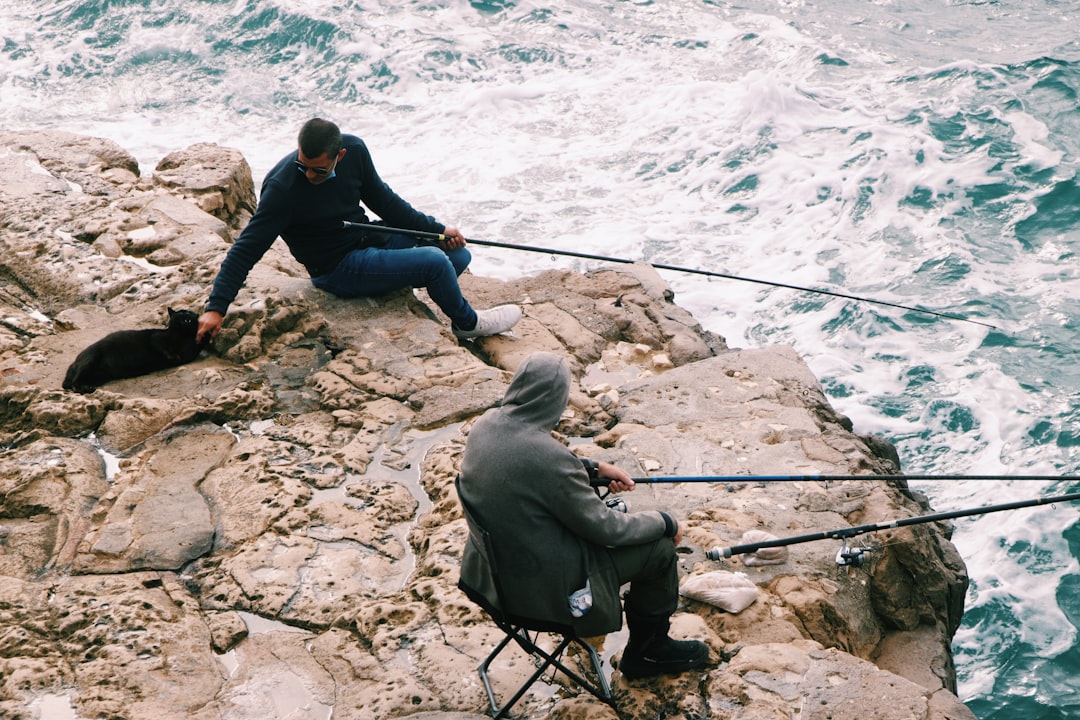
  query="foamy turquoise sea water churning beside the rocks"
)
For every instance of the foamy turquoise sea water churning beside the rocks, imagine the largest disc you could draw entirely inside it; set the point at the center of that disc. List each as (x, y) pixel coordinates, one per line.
(919, 153)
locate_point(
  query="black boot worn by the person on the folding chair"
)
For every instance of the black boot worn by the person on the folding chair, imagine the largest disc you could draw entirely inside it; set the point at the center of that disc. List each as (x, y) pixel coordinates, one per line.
(651, 653)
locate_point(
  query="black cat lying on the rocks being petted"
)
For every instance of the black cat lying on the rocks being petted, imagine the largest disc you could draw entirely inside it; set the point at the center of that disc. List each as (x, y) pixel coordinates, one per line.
(132, 354)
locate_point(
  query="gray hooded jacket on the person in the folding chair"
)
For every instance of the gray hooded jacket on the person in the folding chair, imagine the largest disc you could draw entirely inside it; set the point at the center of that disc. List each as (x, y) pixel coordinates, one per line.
(550, 529)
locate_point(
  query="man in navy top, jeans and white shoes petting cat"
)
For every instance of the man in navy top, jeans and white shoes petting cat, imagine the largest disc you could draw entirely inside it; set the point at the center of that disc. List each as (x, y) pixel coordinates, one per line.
(305, 199)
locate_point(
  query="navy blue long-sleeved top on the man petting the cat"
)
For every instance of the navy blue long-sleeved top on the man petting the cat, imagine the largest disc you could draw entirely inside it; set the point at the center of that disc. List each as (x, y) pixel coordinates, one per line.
(308, 218)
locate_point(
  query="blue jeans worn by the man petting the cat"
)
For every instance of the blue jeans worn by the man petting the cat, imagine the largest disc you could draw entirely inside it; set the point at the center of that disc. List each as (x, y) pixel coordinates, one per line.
(404, 263)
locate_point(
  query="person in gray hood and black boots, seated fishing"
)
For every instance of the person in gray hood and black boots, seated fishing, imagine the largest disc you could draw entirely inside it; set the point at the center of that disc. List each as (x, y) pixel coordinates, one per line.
(555, 536)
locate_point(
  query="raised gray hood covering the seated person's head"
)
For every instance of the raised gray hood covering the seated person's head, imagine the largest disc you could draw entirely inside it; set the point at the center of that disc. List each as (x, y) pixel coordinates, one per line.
(539, 391)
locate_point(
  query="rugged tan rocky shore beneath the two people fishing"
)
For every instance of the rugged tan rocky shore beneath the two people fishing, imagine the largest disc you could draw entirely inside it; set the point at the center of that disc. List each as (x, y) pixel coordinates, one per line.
(272, 532)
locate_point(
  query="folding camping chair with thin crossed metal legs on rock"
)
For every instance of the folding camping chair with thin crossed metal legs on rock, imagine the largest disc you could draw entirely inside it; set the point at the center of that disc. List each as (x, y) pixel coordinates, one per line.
(526, 632)
